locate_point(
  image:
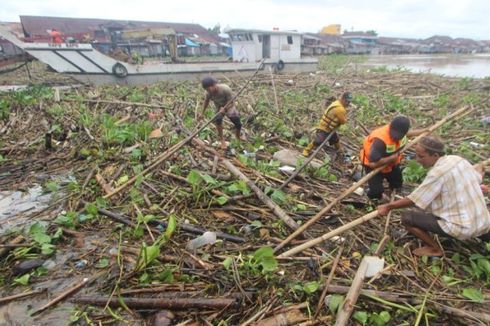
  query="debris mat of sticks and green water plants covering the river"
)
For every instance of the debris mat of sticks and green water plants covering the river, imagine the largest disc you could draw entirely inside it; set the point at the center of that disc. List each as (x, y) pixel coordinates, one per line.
(135, 243)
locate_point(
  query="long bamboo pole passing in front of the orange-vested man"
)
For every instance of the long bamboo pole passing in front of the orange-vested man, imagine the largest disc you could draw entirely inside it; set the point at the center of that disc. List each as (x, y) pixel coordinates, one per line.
(351, 189)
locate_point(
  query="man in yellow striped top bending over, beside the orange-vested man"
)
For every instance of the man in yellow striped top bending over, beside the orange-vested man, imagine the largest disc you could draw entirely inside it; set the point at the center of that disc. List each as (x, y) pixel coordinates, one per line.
(334, 116)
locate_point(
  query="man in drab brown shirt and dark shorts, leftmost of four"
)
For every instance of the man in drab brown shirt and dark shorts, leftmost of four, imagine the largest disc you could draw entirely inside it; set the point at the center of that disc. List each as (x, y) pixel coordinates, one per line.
(222, 96)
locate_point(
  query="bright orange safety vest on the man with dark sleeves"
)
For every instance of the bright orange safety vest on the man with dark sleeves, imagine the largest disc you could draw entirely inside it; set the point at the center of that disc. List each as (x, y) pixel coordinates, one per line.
(382, 133)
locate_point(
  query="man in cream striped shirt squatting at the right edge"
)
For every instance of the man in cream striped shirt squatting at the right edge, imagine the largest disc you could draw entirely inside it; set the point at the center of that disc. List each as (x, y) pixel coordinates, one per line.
(450, 196)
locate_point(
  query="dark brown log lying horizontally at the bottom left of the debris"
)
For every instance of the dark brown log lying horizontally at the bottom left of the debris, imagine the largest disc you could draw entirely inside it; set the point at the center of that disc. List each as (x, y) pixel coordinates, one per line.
(161, 303)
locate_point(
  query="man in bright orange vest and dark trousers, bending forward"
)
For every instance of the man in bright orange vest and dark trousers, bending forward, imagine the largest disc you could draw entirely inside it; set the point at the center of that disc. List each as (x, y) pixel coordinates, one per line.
(382, 147)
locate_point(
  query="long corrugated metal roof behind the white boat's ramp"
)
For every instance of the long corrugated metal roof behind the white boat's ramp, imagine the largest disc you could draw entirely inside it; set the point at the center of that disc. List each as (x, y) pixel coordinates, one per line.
(35, 27)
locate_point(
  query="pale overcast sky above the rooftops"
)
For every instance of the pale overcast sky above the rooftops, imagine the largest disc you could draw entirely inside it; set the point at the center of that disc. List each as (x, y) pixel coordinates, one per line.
(403, 18)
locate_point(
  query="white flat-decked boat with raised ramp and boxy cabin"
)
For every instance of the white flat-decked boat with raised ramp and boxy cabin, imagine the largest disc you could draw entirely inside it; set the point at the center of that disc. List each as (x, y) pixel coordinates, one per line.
(86, 64)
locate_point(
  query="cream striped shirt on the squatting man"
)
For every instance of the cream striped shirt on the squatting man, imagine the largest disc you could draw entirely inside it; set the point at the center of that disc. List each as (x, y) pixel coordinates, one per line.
(452, 192)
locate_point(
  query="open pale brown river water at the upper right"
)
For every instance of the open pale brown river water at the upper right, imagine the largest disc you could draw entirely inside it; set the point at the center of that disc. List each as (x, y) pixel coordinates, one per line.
(475, 65)
